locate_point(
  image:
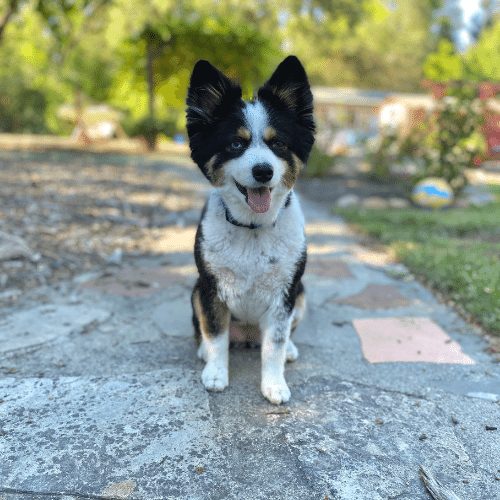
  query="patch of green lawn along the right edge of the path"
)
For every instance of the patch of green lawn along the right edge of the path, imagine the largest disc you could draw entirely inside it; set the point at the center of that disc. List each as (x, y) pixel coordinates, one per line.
(456, 251)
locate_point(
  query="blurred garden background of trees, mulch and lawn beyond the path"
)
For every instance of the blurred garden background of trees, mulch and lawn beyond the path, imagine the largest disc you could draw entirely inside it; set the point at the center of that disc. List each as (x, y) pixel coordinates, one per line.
(406, 102)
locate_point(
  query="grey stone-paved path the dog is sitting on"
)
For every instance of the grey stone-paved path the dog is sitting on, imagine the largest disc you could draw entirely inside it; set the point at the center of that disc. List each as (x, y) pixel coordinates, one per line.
(100, 392)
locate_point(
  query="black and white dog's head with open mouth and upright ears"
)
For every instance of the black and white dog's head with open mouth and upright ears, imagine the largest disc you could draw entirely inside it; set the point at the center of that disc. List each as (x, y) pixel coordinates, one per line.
(253, 151)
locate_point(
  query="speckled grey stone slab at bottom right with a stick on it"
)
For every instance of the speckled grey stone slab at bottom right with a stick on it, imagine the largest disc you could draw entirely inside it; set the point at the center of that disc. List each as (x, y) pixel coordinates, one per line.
(356, 442)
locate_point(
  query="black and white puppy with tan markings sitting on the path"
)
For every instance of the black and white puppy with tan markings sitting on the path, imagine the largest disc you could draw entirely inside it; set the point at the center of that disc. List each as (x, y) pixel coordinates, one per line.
(250, 247)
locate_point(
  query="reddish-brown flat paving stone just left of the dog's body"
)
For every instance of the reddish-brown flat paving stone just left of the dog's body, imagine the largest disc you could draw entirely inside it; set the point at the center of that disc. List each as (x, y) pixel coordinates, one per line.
(136, 282)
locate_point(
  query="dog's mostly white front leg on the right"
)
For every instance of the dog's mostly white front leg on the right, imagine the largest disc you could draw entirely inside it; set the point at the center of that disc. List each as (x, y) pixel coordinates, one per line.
(275, 334)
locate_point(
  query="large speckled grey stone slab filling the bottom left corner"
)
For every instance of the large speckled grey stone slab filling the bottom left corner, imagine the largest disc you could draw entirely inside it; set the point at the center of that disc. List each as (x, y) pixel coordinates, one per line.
(146, 433)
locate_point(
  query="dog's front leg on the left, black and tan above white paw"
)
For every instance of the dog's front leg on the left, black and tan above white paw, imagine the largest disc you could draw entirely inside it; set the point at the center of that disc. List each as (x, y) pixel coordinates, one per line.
(211, 321)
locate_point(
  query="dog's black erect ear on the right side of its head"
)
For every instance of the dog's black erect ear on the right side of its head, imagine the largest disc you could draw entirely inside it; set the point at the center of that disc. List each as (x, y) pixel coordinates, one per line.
(289, 87)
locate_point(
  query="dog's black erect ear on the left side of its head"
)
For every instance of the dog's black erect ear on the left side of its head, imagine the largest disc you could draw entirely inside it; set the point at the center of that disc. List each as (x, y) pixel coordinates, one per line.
(210, 95)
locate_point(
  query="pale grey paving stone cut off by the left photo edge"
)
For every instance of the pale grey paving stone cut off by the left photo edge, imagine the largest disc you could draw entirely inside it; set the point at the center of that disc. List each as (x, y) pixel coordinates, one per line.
(42, 324)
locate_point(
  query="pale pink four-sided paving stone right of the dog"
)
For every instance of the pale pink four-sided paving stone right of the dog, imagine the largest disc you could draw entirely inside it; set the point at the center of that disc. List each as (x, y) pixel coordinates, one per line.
(407, 339)
